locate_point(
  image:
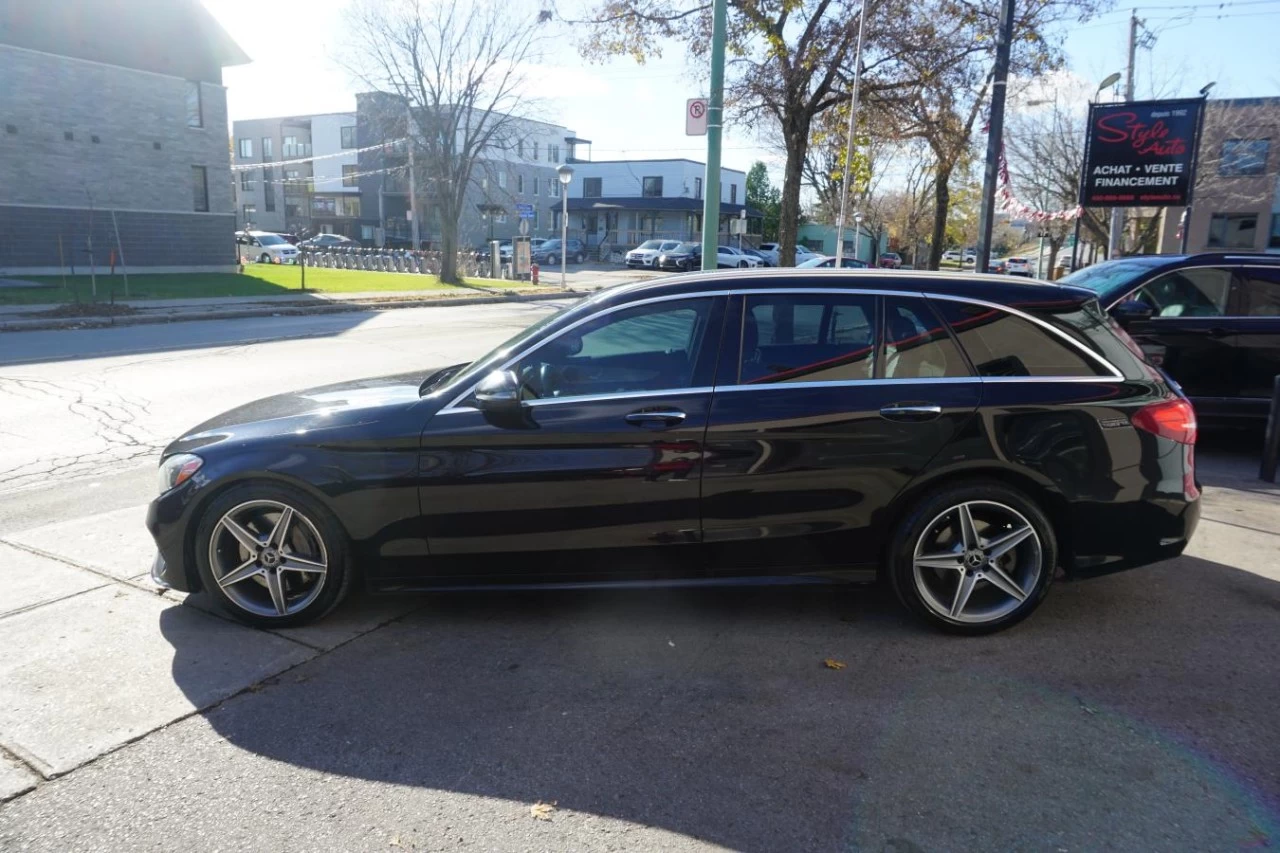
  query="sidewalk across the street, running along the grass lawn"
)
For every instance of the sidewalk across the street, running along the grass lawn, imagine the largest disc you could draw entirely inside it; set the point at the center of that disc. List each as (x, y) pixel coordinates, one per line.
(21, 318)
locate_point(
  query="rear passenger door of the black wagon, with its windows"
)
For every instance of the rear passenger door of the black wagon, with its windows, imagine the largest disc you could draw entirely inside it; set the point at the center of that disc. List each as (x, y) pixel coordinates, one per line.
(833, 403)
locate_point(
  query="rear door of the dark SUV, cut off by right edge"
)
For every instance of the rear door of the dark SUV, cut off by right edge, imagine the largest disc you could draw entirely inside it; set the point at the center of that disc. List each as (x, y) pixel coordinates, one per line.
(1258, 337)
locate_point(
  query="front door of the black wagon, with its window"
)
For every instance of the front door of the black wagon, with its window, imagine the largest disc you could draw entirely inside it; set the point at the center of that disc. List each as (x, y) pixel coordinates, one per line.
(600, 478)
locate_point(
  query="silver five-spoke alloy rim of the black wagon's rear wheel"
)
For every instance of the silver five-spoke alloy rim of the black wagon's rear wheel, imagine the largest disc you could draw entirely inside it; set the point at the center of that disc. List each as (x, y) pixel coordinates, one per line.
(977, 563)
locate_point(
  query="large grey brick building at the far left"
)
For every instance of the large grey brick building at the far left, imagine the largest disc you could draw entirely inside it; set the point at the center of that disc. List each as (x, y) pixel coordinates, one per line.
(115, 136)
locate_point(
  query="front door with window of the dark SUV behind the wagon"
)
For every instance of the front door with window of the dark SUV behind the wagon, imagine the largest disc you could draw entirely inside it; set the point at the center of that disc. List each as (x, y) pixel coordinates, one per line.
(1190, 334)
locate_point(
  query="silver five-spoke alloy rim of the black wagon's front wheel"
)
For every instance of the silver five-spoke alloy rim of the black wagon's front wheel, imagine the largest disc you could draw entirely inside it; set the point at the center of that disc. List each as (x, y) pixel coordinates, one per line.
(268, 559)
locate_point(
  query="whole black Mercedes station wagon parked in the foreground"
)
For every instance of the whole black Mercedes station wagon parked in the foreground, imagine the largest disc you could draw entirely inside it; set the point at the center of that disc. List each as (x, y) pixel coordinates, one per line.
(961, 436)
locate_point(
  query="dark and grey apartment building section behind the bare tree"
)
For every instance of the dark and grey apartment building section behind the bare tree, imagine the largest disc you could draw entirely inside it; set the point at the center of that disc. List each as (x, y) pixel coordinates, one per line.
(519, 171)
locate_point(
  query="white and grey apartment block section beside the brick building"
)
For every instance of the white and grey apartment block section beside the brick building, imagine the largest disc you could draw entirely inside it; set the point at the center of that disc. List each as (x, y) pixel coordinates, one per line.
(296, 175)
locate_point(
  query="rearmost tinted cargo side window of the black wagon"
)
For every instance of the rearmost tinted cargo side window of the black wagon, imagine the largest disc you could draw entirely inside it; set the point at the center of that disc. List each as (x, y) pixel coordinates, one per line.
(1004, 345)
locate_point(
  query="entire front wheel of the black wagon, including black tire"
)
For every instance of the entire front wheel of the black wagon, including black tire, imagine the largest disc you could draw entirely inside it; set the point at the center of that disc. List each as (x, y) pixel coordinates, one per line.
(281, 589)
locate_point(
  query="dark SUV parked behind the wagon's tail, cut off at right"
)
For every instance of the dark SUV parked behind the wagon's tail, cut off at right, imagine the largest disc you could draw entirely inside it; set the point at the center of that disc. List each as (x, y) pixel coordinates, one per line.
(1212, 321)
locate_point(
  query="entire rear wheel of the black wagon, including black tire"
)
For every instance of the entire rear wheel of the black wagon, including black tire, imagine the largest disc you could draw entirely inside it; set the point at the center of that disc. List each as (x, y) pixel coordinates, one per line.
(931, 532)
